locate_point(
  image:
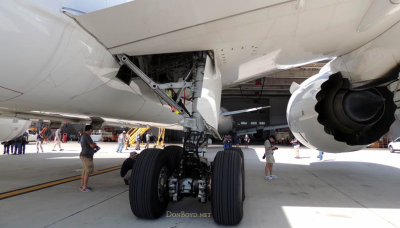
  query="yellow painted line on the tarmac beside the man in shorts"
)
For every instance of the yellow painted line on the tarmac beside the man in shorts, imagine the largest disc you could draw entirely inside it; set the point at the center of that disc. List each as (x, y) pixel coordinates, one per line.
(21, 191)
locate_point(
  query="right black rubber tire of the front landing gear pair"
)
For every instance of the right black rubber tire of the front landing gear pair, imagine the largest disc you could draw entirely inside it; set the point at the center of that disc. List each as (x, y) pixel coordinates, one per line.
(226, 188)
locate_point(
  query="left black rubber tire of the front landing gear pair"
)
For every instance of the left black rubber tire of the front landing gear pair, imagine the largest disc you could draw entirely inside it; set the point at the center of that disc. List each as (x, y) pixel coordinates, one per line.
(143, 189)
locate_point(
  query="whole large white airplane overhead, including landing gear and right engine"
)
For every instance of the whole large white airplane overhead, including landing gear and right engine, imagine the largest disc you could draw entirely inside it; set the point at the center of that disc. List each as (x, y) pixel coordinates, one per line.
(174, 74)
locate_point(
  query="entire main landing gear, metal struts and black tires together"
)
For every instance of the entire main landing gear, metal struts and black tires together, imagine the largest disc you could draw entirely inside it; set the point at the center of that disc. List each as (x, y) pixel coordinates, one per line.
(163, 176)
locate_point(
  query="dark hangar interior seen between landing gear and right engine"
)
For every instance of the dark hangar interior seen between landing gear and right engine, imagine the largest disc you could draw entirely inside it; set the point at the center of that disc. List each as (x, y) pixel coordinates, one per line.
(268, 90)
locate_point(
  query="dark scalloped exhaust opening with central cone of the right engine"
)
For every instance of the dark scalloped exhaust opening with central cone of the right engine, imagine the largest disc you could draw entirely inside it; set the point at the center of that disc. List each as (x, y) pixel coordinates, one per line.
(356, 117)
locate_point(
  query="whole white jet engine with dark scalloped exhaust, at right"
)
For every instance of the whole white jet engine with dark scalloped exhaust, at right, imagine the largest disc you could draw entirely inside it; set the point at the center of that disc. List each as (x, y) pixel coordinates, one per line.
(326, 114)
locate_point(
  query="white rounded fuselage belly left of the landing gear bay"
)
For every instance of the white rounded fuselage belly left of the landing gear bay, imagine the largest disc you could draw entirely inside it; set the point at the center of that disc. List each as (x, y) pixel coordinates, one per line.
(54, 65)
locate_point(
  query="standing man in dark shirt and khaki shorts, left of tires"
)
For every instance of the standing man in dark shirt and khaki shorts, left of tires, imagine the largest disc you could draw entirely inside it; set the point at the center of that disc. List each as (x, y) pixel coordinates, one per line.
(86, 156)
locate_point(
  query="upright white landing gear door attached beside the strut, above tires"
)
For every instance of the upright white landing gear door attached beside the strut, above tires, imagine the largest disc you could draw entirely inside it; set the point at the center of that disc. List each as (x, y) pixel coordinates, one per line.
(210, 101)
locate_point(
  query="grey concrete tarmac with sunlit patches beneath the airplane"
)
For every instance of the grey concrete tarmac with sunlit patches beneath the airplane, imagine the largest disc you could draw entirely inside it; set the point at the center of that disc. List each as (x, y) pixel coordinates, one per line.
(358, 189)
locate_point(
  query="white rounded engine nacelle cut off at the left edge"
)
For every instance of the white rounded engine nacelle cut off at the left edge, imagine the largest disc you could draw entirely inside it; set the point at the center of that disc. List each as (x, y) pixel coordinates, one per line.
(11, 128)
